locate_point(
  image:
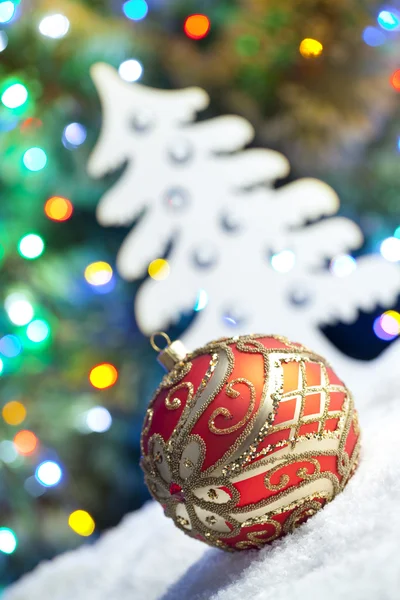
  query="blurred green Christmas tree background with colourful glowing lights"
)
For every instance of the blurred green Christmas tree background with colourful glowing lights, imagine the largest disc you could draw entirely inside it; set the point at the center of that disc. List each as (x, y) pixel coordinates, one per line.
(319, 81)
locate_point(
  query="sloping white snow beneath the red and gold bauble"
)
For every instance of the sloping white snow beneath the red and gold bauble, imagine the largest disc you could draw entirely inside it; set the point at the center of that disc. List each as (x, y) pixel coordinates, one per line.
(348, 550)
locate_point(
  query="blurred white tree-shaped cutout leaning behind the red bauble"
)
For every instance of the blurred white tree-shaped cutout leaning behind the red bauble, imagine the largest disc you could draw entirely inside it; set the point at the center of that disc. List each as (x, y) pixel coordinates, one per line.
(244, 254)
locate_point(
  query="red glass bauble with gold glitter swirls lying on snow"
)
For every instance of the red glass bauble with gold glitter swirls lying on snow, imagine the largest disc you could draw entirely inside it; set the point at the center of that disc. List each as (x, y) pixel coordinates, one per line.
(248, 437)
